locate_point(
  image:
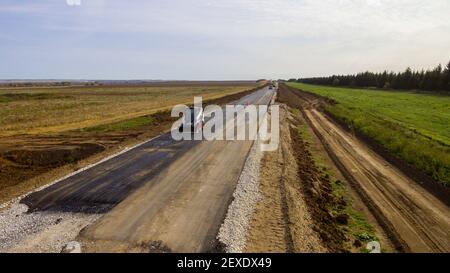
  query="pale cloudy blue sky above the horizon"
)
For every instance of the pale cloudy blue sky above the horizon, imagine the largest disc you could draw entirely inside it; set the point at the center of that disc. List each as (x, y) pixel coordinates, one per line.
(218, 39)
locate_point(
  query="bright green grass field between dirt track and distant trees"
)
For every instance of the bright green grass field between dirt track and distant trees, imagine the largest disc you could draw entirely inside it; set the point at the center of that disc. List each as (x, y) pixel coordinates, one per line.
(414, 126)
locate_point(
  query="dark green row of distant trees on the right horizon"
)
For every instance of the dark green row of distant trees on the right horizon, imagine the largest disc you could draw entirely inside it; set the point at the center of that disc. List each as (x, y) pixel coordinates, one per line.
(437, 79)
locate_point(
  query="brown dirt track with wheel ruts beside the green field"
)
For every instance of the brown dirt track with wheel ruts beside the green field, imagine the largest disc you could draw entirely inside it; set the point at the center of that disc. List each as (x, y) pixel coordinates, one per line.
(415, 220)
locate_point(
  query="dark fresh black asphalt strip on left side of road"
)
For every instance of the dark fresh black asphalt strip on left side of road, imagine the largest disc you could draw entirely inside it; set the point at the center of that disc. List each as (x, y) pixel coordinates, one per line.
(101, 187)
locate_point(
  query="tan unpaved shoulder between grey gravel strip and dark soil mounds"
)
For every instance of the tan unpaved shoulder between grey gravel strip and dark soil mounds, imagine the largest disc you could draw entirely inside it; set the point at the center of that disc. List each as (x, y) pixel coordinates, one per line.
(281, 222)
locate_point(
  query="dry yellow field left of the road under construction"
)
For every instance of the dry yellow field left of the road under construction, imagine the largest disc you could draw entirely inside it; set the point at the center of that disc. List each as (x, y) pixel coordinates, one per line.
(57, 109)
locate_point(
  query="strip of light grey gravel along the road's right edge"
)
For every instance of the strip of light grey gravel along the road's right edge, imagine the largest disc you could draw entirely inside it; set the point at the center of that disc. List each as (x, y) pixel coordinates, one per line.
(234, 230)
